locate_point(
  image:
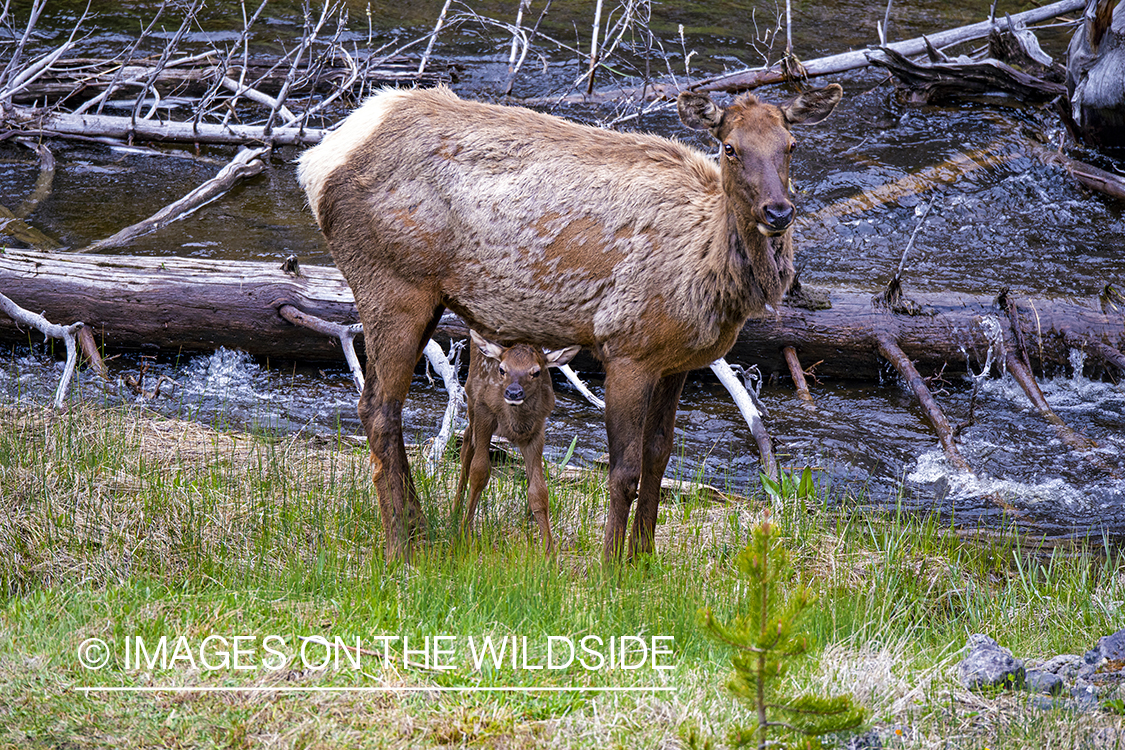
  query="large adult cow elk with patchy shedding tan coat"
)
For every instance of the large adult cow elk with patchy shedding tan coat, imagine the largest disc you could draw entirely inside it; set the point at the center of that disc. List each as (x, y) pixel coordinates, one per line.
(542, 231)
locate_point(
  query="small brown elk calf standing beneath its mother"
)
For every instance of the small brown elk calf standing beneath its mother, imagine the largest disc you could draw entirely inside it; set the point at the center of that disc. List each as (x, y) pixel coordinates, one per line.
(510, 394)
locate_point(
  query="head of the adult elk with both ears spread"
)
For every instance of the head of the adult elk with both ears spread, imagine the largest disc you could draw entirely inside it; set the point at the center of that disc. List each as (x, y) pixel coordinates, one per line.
(757, 148)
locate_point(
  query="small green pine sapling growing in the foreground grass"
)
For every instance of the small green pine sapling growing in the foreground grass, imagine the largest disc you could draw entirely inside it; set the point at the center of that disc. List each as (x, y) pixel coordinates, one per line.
(766, 639)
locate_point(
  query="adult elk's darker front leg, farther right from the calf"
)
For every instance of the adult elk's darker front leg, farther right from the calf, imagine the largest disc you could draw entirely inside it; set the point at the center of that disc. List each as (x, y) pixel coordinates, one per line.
(660, 433)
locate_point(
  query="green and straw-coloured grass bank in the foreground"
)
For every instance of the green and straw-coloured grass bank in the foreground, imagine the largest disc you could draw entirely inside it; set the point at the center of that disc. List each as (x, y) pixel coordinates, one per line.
(119, 526)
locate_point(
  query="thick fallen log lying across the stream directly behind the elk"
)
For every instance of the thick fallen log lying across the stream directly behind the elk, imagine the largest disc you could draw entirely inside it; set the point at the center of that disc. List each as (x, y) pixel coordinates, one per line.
(200, 305)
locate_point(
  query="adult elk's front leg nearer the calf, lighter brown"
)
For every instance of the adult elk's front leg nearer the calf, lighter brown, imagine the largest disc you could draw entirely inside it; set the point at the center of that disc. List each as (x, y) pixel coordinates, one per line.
(628, 393)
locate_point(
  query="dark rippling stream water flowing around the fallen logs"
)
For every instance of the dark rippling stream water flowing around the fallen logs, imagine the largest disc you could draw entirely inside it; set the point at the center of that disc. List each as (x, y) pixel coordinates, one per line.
(1018, 224)
